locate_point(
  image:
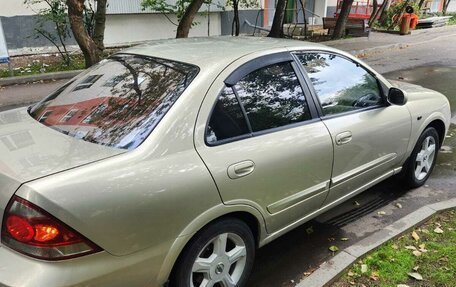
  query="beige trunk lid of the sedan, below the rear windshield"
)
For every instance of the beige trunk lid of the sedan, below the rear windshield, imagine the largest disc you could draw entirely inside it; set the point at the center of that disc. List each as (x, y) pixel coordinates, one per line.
(31, 150)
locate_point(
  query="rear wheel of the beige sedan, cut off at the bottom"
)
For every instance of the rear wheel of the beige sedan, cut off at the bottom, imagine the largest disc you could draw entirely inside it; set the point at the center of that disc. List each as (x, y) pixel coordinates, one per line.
(222, 253)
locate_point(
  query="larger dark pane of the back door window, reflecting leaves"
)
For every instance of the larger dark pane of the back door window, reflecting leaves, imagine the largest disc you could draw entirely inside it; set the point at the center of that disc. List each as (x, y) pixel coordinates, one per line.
(272, 97)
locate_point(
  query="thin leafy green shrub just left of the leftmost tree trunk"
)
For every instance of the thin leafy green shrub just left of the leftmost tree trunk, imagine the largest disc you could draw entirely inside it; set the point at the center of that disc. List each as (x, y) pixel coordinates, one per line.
(55, 12)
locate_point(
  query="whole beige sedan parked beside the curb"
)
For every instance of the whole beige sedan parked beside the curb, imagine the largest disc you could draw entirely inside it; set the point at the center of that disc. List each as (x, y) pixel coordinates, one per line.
(171, 163)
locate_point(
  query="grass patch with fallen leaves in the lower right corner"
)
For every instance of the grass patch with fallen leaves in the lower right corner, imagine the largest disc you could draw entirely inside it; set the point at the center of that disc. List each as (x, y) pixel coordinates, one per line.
(431, 254)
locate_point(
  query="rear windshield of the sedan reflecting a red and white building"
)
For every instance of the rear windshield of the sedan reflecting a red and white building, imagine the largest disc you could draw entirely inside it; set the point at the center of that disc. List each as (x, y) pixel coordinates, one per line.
(118, 102)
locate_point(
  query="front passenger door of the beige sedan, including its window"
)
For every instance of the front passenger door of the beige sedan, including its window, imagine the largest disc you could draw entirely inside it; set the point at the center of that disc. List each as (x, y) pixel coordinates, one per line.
(370, 136)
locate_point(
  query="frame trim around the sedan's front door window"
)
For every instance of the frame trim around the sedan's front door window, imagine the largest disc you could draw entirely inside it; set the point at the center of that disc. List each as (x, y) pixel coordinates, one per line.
(314, 93)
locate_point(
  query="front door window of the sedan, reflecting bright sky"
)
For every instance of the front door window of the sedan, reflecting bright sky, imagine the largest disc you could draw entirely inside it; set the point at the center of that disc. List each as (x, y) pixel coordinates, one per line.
(340, 84)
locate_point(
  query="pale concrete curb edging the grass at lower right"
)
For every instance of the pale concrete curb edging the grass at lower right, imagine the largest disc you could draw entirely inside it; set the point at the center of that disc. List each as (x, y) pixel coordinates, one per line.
(329, 271)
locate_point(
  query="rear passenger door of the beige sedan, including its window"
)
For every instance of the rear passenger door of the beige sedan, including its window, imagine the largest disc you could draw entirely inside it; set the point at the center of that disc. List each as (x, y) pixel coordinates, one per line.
(263, 142)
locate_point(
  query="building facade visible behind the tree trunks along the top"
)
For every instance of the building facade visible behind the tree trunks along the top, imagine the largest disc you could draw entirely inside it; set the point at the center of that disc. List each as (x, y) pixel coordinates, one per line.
(128, 23)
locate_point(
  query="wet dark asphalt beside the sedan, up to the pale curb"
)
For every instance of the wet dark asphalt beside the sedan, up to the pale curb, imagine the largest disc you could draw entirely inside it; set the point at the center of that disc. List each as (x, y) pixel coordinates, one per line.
(290, 258)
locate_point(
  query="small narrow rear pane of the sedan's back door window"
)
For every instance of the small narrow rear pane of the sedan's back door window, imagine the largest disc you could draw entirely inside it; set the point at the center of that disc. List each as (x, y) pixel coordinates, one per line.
(227, 119)
